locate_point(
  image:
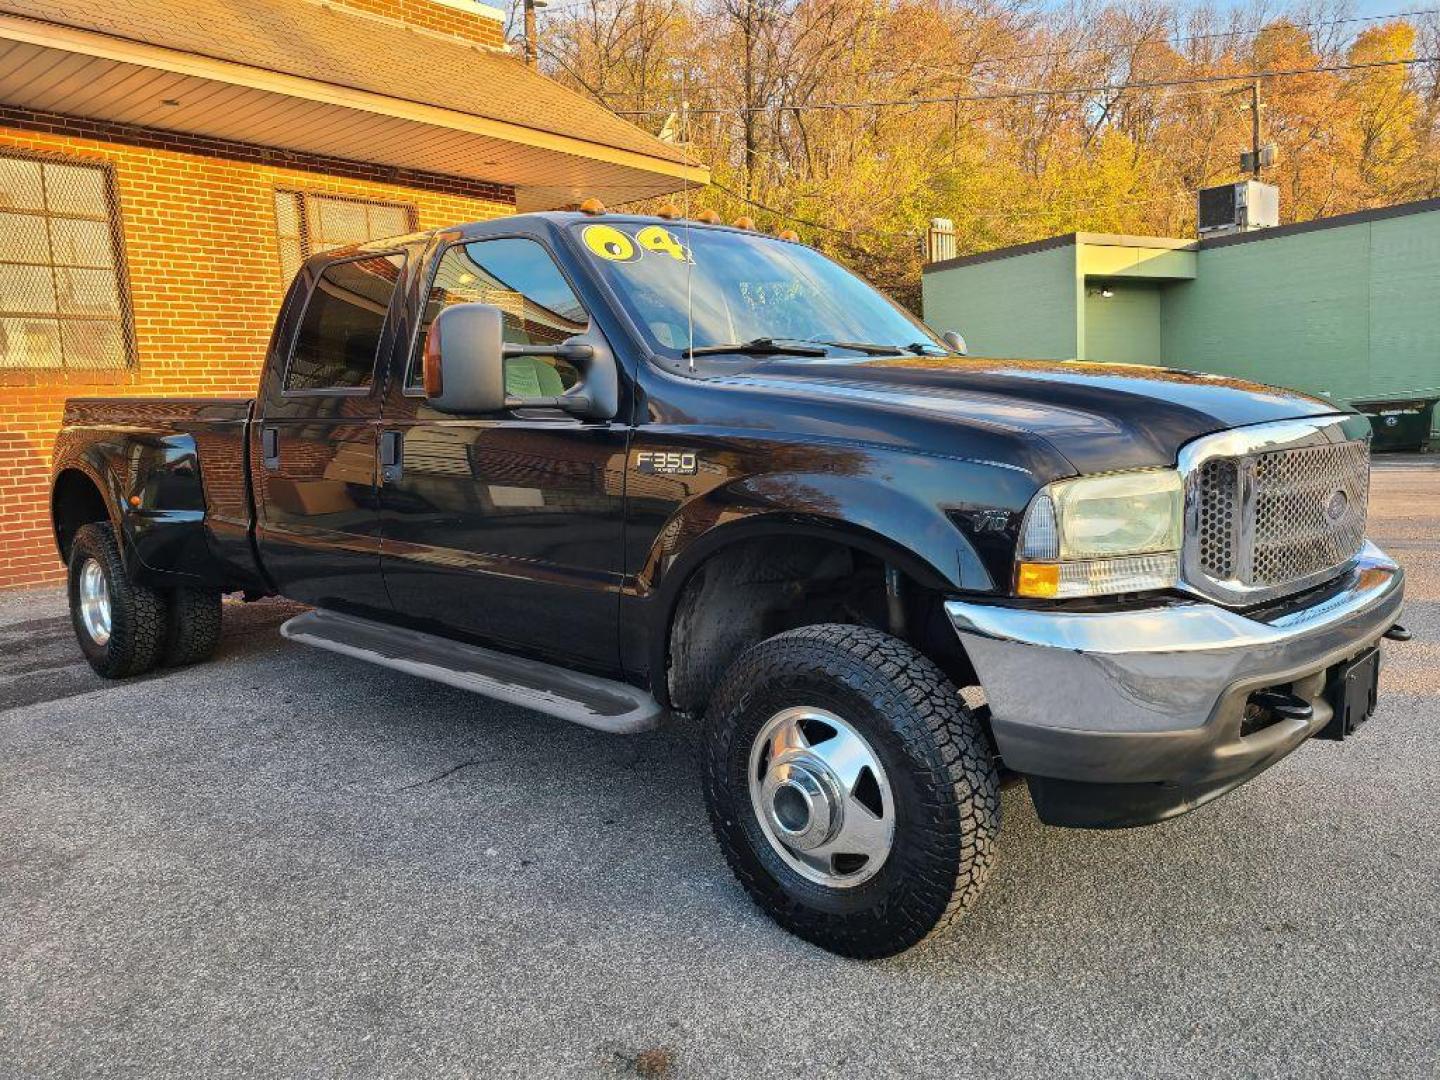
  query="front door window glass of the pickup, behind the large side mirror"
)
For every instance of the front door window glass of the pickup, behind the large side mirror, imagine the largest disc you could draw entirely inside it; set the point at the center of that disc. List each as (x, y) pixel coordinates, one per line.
(522, 280)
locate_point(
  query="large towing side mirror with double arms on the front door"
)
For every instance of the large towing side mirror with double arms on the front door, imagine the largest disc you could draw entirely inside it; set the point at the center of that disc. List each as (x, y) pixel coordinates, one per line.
(464, 366)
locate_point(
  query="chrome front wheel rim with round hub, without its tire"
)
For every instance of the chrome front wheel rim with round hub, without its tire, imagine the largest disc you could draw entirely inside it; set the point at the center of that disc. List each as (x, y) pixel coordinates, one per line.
(822, 797)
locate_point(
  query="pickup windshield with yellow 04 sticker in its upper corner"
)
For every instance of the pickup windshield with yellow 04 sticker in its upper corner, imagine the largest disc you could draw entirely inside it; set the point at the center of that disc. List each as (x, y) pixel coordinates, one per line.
(708, 289)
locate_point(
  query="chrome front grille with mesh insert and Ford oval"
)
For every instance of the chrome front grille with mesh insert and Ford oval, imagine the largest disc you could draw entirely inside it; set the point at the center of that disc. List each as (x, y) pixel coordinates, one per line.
(1272, 521)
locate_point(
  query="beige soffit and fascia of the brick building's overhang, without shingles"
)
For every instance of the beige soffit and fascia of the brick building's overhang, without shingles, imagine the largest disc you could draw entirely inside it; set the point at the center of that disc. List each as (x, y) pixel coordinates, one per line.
(68, 71)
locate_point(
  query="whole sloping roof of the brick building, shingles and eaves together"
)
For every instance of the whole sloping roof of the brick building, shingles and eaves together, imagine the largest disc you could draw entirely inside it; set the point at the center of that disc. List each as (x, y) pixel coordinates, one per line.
(319, 80)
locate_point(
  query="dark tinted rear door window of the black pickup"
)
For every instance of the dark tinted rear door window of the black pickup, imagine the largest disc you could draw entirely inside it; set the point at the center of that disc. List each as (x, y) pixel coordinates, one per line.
(341, 332)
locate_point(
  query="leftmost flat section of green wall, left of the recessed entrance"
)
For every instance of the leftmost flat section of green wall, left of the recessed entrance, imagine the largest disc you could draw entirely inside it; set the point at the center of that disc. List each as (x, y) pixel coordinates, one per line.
(1026, 306)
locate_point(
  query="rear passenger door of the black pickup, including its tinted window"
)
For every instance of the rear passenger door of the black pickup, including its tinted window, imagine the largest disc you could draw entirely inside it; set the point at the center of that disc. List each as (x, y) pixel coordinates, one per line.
(315, 449)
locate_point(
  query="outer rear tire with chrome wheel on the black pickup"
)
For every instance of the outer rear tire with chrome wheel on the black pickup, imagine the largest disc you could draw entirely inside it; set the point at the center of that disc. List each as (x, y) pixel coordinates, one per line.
(120, 624)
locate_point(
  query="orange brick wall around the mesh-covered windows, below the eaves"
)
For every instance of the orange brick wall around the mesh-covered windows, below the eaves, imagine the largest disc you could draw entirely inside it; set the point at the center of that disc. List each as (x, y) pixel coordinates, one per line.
(199, 244)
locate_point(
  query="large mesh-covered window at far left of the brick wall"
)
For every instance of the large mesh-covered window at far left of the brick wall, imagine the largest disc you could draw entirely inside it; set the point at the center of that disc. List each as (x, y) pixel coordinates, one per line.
(63, 297)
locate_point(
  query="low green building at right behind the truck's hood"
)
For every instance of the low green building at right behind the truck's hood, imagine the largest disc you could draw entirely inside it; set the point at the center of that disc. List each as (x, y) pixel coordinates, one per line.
(1346, 307)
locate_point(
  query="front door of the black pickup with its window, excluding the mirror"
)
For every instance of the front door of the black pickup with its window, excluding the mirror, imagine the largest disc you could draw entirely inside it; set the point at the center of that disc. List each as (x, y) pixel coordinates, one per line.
(506, 528)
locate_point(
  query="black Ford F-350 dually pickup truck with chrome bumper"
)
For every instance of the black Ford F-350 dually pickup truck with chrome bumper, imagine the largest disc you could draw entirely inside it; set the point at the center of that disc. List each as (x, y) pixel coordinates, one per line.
(629, 469)
